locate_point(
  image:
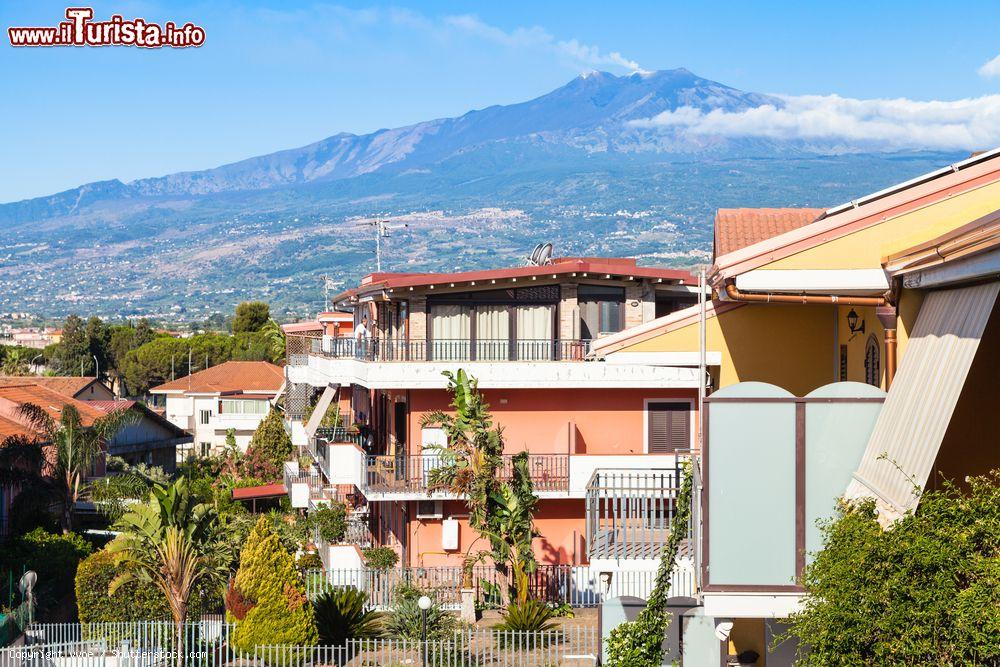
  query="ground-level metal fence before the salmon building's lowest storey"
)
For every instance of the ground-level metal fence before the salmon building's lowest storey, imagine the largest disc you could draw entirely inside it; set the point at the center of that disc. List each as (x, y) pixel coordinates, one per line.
(575, 585)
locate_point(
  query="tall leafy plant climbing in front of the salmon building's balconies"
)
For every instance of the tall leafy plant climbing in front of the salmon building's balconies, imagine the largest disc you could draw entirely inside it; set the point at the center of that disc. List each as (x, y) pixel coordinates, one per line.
(472, 460)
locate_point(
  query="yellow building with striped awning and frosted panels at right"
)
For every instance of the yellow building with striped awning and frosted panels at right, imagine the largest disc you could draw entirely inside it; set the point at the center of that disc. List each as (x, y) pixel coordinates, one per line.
(852, 352)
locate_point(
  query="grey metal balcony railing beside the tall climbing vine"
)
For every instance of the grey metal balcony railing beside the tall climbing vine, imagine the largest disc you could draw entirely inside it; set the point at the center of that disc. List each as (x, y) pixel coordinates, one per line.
(629, 513)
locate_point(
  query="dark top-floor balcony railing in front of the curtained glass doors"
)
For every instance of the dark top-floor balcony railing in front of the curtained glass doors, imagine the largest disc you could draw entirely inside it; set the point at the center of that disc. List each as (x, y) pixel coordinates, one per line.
(451, 349)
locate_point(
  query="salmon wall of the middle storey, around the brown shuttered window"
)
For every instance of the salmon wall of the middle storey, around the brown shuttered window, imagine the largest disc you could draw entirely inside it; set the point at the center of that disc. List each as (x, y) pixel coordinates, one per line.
(607, 421)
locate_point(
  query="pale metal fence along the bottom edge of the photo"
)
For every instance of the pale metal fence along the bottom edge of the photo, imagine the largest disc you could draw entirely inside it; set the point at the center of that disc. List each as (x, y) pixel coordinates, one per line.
(145, 644)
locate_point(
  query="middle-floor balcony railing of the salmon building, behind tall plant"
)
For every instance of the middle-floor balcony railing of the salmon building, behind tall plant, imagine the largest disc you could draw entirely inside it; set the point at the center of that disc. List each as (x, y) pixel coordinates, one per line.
(421, 473)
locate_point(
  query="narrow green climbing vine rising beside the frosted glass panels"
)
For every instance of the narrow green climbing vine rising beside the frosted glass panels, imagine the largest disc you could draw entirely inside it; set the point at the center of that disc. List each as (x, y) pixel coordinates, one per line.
(639, 643)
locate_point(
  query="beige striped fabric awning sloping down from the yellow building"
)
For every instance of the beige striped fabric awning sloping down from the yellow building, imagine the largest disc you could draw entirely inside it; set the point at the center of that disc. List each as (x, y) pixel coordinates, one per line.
(907, 436)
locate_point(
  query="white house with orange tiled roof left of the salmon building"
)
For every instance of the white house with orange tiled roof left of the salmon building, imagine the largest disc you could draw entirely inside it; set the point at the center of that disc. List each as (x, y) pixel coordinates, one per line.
(235, 395)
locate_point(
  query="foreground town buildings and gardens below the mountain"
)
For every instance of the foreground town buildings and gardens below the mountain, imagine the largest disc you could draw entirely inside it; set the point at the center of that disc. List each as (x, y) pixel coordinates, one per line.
(784, 456)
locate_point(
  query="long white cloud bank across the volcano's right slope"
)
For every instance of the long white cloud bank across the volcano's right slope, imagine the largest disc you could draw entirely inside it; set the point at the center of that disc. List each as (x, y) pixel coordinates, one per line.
(972, 123)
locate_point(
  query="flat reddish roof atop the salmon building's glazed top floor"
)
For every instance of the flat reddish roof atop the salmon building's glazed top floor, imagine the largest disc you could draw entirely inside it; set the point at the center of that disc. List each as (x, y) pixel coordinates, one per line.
(615, 266)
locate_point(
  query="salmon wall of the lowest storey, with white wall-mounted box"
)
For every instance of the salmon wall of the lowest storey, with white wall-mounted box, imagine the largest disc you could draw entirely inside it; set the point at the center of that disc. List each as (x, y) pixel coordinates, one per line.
(560, 523)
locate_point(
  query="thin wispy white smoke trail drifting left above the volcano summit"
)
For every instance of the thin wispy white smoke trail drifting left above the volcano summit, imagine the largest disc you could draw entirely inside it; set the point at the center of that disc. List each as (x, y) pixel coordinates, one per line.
(581, 55)
